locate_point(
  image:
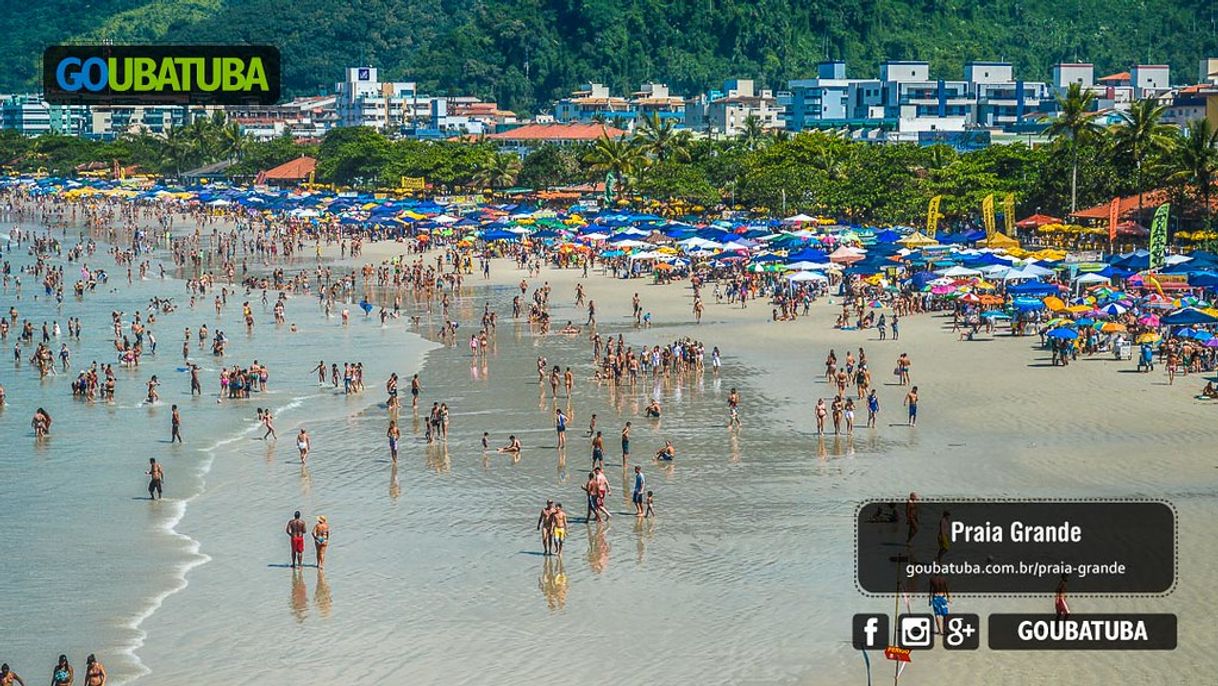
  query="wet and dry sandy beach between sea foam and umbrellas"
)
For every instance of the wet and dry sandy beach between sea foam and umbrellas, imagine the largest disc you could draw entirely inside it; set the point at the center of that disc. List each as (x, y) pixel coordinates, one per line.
(745, 576)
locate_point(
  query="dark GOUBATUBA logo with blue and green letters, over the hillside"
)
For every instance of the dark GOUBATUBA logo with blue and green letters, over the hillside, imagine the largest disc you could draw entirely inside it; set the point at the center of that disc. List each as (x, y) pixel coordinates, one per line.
(161, 75)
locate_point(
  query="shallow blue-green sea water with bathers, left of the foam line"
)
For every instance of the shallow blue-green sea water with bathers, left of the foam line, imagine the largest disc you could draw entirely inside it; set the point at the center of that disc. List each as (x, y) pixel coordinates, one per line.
(88, 559)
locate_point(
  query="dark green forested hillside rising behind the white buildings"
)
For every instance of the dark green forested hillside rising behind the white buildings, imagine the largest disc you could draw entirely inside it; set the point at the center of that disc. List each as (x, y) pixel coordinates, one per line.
(528, 53)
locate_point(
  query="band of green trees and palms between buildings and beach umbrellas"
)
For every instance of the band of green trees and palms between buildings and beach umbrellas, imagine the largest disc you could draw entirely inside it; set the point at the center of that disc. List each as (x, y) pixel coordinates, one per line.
(811, 172)
